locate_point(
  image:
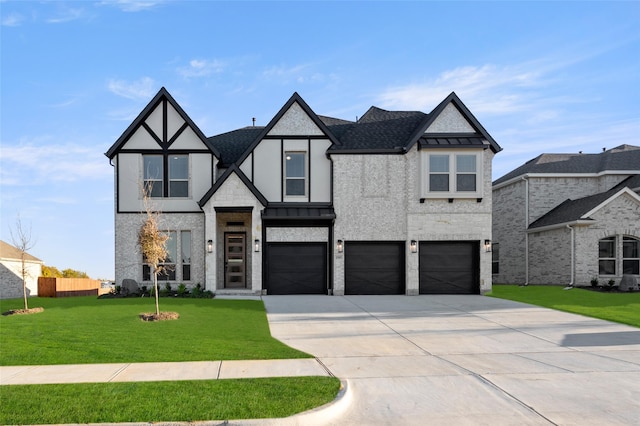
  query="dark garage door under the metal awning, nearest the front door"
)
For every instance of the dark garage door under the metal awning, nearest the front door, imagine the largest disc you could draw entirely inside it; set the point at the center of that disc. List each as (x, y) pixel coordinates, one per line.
(296, 268)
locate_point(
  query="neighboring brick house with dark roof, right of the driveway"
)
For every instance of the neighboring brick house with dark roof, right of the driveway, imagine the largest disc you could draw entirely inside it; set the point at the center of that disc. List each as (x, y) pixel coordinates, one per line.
(568, 218)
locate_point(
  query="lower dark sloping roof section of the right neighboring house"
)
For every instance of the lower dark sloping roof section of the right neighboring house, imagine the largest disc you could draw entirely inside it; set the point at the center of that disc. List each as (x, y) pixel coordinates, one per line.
(573, 210)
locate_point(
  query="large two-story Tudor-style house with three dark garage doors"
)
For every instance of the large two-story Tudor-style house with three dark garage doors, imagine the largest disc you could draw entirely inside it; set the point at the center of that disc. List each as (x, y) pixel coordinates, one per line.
(398, 202)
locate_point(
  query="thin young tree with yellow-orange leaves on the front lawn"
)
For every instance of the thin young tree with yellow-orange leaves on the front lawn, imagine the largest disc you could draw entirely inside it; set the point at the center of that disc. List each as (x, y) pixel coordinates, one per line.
(153, 242)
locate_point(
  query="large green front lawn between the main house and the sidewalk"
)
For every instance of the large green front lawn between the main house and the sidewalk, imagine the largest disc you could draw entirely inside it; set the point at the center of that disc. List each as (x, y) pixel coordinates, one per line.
(87, 330)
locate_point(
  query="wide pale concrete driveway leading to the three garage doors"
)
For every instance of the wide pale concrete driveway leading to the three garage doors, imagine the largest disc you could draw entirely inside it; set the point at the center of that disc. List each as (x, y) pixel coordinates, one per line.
(457, 360)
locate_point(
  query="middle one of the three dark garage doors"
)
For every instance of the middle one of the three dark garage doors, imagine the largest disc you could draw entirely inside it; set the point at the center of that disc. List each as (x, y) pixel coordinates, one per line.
(374, 267)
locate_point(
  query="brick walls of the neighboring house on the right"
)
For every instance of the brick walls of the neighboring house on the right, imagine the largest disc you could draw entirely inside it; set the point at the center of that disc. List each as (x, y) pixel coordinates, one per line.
(550, 251)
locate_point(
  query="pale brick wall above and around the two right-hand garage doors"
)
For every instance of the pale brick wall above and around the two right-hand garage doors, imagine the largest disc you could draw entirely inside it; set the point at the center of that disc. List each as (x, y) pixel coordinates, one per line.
(390, 210)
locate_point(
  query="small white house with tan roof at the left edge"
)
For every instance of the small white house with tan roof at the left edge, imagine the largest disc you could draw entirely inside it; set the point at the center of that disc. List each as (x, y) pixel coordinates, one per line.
(11, 272)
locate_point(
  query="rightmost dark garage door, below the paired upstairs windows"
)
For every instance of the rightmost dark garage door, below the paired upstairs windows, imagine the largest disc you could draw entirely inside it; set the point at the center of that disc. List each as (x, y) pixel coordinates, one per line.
(449, 268)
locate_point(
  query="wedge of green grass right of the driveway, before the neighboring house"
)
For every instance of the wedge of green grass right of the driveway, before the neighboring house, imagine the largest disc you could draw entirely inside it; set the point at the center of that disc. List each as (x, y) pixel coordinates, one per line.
(618, 307)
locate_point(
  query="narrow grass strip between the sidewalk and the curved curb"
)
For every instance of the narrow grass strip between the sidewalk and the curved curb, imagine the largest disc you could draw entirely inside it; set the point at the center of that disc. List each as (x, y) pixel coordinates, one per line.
(151, 402)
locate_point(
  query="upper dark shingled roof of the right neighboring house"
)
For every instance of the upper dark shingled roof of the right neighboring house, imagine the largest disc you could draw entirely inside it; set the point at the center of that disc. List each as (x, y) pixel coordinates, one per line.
(623, 157)
